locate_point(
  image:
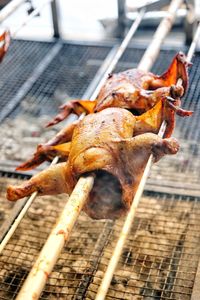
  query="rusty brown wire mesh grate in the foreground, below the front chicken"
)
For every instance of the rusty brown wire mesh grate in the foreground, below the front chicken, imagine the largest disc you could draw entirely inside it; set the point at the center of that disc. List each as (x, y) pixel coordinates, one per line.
(159, 260)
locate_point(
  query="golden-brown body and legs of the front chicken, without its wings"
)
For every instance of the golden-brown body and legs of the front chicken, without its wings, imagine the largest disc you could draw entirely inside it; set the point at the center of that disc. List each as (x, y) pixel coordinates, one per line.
(101, 142)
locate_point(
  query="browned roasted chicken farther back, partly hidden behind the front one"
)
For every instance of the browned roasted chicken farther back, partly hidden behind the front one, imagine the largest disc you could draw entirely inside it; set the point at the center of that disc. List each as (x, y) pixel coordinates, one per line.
(133, 89)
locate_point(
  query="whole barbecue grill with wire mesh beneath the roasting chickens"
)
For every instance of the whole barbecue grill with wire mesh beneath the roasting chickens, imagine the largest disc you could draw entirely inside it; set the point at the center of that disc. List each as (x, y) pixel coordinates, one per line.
(161, 255)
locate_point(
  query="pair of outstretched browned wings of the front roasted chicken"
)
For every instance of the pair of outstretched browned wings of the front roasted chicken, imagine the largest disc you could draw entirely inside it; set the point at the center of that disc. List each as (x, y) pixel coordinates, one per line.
(149, 121)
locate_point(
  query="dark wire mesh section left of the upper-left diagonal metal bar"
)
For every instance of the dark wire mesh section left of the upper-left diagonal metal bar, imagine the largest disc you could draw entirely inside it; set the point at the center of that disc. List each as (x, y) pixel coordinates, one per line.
(18, 65)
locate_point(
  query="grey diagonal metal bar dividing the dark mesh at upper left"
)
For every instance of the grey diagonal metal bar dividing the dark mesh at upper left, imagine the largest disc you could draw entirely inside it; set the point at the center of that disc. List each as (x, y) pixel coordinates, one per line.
(30, 81)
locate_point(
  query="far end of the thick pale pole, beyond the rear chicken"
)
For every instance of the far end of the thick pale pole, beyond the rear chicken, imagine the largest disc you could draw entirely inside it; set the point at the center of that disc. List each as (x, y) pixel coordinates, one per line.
(158, 38)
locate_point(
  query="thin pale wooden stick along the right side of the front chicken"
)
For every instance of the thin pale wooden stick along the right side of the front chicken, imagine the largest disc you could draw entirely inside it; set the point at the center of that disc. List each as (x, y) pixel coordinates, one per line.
(102, 291)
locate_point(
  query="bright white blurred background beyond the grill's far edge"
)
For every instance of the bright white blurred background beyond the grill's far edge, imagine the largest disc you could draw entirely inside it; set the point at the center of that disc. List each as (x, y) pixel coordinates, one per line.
(101, 19)
